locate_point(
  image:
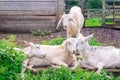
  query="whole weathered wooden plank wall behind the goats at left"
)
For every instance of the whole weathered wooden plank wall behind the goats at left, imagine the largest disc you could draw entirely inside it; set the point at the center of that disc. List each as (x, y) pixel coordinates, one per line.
(29, 15)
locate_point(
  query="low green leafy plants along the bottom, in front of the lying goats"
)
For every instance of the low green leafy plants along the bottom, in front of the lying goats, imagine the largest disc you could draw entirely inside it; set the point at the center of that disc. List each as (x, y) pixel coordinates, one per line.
(66, 74)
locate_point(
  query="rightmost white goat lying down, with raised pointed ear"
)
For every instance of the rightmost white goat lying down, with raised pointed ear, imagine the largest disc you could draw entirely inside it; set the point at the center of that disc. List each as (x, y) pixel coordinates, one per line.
(97, 56)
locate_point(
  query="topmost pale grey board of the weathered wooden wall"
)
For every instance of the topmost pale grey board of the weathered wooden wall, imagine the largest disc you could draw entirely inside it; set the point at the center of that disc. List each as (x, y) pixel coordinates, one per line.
(27, 6)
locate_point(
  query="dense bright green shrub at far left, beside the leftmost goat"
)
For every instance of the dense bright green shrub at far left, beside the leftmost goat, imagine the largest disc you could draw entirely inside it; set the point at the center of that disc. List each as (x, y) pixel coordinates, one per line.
(10, 60)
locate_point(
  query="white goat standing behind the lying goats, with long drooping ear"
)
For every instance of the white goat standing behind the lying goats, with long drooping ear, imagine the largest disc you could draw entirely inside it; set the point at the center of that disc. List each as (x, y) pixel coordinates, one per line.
(72, 22)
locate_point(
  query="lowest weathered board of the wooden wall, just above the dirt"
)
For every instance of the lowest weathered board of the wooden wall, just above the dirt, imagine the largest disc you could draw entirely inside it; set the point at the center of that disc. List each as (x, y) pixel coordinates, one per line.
(25, 27)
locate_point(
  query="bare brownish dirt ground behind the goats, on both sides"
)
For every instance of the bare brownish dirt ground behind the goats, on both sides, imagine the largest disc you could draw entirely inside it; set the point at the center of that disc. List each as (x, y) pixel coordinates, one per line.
(109, 37)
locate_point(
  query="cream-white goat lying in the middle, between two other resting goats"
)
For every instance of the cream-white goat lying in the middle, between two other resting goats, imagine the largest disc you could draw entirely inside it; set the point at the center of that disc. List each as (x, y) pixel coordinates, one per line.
(57, 55)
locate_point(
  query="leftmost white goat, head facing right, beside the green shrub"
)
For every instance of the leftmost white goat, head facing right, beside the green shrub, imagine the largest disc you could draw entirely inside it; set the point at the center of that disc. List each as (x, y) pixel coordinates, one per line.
(32, 51)
